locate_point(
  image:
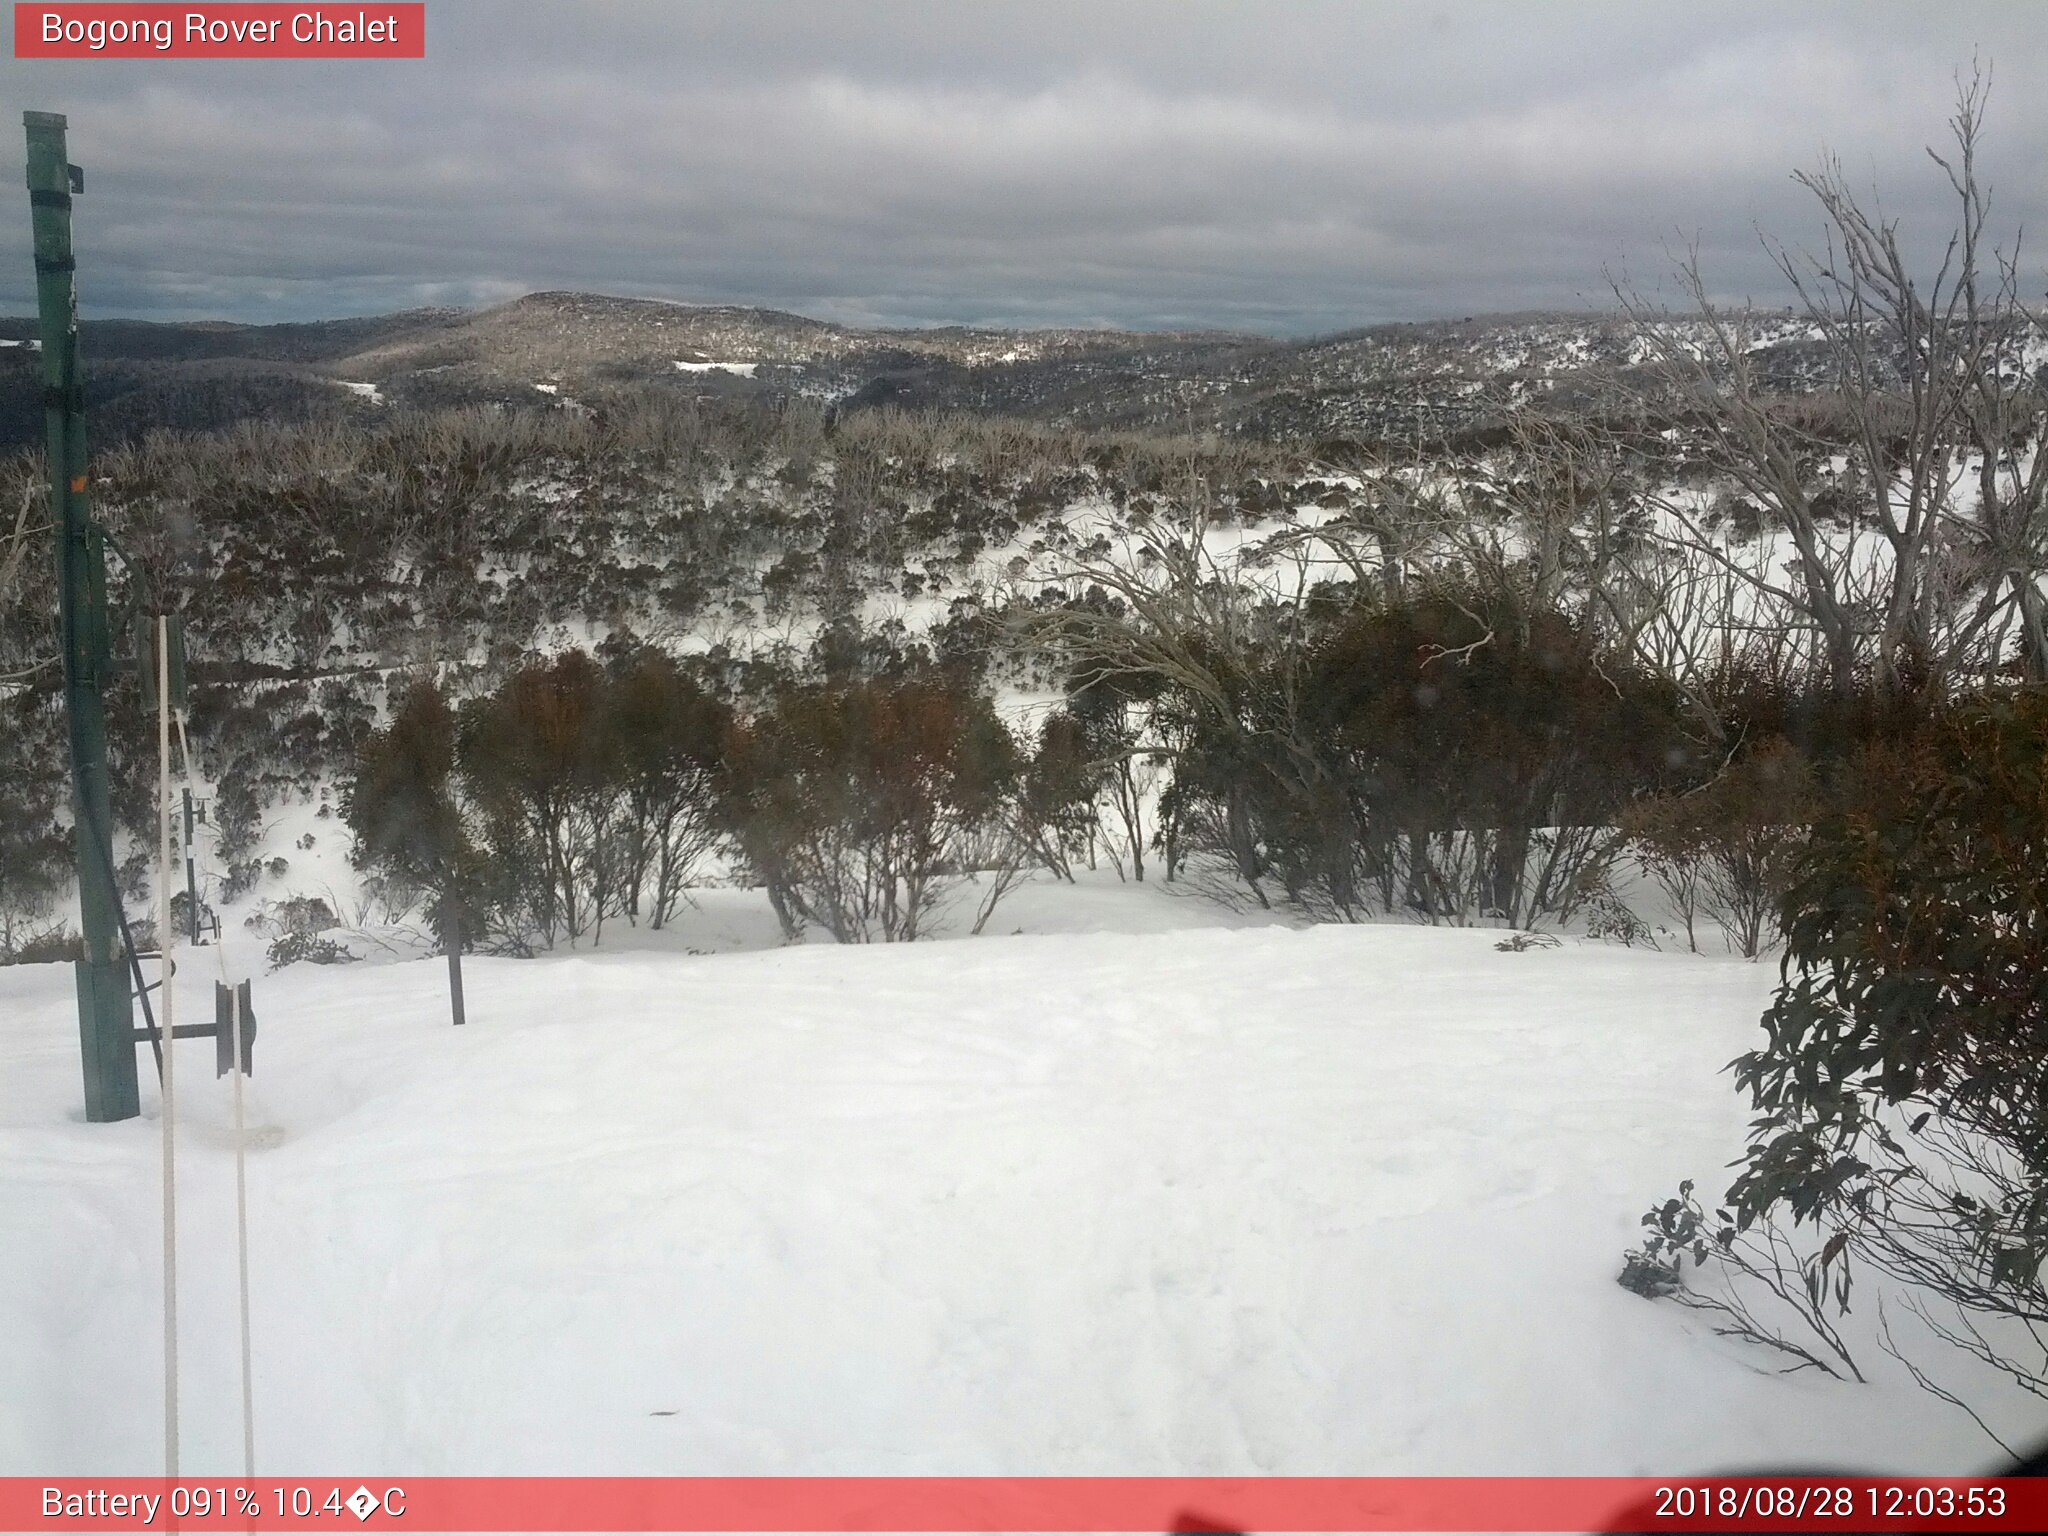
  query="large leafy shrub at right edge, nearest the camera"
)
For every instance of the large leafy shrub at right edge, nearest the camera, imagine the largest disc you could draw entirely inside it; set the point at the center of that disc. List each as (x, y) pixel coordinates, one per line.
(1902, 1091)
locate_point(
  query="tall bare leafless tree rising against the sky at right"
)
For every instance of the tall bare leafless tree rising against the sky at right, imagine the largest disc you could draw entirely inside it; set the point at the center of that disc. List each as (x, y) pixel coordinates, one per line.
(1914, 511)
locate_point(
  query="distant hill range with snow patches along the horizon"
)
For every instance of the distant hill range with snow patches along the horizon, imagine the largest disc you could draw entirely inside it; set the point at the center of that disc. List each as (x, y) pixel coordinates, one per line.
(572, 349)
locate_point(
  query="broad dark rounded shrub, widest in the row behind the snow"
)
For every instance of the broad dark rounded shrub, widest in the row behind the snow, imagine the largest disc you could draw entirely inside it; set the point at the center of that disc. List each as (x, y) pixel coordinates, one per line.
(1451, 753)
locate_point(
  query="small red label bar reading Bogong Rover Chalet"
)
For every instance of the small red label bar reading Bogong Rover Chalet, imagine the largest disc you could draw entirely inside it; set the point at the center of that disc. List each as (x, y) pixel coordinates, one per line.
(220, 32)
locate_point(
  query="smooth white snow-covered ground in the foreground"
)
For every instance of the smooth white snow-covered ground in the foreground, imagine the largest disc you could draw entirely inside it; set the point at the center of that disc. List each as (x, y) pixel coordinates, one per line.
(1142, 1189)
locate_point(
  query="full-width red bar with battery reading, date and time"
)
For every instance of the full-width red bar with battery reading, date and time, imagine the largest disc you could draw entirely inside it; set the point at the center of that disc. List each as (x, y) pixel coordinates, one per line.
(1025, 1504)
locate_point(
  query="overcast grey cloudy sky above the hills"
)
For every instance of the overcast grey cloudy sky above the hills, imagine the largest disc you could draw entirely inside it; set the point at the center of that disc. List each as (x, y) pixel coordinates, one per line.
(1283, 167)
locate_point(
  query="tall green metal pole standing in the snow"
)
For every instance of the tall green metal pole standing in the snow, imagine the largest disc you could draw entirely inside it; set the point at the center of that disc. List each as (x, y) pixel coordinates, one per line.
(105, 1009)
